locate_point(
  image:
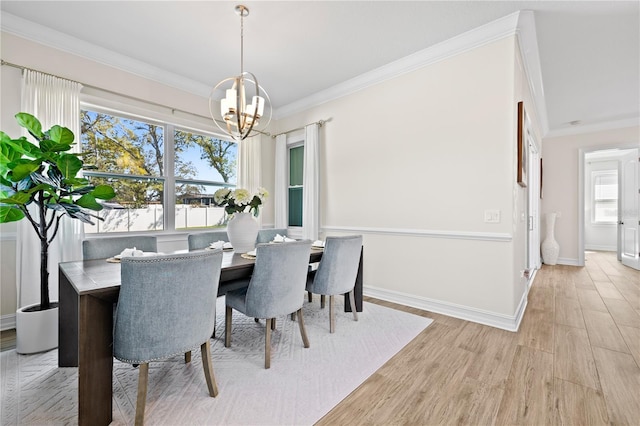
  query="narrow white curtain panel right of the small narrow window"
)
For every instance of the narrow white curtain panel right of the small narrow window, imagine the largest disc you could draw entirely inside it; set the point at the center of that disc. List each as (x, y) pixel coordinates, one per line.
(311, 184)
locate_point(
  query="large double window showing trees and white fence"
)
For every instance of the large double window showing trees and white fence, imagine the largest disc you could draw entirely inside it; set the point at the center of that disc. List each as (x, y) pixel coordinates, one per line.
(164, 176)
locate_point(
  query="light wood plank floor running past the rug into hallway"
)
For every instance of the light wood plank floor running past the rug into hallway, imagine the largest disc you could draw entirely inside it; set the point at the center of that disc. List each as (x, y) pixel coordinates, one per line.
(574, 361)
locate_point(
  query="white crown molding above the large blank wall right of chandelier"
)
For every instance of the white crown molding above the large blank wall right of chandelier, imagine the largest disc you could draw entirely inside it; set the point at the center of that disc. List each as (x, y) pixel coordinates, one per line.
(485, 34)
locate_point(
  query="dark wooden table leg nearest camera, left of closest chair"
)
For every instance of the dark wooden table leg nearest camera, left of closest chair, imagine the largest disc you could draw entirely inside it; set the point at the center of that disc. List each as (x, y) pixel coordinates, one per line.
(95, 369)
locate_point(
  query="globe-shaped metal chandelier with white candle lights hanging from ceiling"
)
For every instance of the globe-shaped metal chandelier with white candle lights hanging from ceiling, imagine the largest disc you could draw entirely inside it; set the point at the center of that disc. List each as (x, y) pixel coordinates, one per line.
(240, 119)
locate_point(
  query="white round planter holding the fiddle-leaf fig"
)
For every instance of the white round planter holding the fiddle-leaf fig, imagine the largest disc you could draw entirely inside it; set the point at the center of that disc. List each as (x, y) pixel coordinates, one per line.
(36, 331)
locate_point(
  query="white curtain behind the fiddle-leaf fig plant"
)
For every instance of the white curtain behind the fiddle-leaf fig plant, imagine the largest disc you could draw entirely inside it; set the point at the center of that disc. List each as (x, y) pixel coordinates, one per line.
(51, 100)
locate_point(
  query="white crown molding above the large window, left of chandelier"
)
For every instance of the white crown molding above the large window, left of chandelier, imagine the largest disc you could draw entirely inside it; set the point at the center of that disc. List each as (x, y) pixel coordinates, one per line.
(46, 36)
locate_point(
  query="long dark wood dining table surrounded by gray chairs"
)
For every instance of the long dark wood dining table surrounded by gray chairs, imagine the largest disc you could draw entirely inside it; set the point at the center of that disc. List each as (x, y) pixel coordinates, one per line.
(88, 293)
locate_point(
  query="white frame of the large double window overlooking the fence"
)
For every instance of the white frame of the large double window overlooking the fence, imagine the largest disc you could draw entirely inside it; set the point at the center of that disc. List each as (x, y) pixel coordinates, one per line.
(169, 124)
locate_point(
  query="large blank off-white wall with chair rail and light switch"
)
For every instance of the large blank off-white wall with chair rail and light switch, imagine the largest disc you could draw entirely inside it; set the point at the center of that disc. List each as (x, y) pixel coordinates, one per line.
(413, 163)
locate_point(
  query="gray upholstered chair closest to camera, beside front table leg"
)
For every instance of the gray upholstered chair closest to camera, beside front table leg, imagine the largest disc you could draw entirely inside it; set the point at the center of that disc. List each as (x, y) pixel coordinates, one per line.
(166, 307)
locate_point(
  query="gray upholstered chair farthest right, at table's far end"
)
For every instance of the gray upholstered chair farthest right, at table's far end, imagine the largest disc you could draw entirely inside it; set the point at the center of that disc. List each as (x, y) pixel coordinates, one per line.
(337, 272)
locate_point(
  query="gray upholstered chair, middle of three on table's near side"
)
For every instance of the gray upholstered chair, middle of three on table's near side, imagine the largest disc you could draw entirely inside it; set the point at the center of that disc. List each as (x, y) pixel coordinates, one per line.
(276, 288)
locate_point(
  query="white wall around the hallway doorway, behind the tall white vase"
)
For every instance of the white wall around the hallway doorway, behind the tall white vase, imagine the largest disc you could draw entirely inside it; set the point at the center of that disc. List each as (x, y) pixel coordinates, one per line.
(561, 180)
